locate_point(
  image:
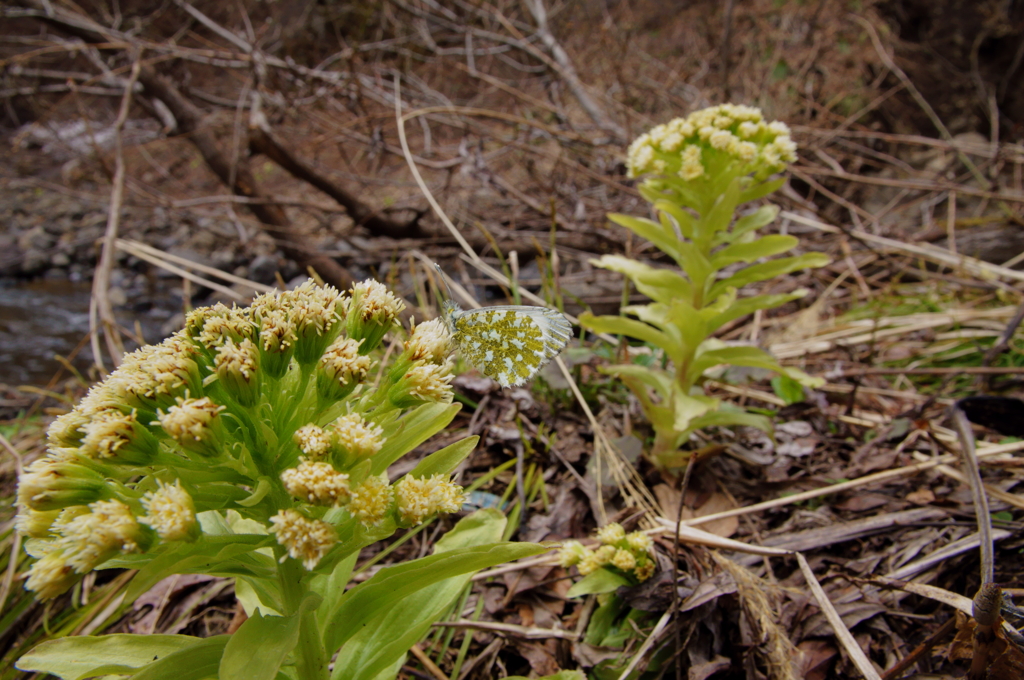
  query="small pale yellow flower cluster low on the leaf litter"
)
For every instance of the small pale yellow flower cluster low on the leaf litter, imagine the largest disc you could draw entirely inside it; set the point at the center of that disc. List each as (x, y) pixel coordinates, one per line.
(628, 555)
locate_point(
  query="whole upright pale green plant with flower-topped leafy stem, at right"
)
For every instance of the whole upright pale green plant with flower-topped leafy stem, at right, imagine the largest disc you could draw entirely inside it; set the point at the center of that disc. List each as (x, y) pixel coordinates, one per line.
(699, 172)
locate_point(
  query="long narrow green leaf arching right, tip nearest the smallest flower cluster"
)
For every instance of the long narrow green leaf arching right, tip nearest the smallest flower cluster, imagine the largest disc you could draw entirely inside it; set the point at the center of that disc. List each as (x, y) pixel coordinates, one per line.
(360, 606)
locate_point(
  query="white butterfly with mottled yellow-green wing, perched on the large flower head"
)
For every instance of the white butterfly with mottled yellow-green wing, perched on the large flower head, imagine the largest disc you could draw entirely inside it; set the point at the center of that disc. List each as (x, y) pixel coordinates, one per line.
(508, 344)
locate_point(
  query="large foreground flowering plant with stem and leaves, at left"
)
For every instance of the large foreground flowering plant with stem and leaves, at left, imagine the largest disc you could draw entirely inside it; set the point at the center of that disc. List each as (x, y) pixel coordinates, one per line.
(255, 445)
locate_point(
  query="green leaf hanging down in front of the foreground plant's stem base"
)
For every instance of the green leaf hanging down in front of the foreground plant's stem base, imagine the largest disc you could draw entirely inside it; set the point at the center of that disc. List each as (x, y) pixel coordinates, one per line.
(258, 650)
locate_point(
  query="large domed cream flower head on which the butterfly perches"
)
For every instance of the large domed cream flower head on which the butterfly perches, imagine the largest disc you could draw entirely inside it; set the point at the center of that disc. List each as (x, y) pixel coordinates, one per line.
(279, 413)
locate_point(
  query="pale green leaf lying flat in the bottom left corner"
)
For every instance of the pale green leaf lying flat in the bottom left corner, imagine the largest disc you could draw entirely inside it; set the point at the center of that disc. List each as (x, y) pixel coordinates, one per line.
(84, 657)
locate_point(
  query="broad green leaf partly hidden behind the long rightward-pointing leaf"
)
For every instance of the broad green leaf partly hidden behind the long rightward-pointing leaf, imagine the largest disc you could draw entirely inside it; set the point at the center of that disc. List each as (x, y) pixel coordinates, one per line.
(397, 626)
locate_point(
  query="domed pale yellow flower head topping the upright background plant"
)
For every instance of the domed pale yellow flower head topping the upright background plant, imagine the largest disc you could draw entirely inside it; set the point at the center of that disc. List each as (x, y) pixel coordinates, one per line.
(713, 141)
